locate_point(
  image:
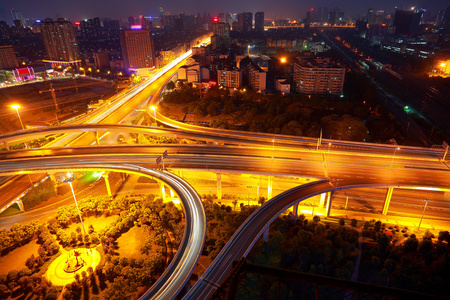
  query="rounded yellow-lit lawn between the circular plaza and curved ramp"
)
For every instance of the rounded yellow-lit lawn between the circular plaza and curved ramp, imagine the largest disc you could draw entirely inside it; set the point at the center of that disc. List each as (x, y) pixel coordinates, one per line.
(130, 243)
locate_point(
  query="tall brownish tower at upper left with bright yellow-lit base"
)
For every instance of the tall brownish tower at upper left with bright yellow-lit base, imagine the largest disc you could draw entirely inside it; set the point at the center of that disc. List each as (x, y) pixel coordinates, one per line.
(60, 42)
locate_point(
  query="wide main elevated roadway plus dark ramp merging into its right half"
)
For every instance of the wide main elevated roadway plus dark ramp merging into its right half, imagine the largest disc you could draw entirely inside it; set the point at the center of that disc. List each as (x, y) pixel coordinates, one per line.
(362, 172)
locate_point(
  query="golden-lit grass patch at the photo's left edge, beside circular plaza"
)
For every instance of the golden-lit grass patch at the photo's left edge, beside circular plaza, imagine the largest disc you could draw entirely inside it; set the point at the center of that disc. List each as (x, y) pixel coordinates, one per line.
(15, 260)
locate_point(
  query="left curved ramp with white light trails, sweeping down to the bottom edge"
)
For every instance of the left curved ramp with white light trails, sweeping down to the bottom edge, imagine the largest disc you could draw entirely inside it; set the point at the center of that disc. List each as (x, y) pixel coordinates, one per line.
(178, 272)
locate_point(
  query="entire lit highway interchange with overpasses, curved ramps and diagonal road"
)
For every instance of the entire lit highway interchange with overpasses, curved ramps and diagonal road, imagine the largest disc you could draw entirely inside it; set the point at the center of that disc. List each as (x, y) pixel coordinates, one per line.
(338, 164)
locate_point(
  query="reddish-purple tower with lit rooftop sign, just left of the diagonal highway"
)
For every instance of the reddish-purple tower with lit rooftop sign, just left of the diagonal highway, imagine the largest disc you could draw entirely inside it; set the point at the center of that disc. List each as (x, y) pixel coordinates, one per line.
(138, 50)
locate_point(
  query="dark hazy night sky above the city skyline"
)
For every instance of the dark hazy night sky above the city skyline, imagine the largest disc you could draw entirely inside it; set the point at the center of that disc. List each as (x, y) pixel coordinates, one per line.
(82, 9)
